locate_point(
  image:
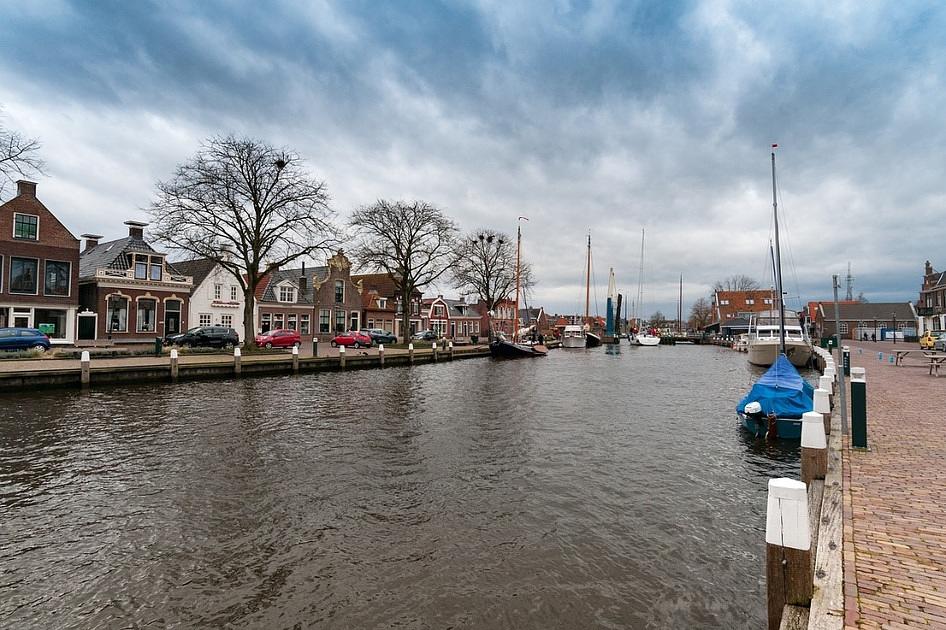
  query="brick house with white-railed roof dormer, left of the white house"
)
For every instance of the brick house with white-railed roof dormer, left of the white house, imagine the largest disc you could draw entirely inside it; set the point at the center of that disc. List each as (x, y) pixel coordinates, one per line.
(128, 291)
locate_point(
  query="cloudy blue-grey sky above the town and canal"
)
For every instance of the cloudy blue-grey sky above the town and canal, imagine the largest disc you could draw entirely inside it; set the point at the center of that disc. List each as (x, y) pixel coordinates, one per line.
(601, 117)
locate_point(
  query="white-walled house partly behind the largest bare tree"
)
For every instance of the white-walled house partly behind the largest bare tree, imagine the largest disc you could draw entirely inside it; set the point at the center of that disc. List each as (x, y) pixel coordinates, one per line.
(216, 299)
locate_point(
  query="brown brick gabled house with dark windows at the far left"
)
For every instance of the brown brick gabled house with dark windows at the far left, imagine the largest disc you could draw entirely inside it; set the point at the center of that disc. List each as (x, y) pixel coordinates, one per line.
(39, 268)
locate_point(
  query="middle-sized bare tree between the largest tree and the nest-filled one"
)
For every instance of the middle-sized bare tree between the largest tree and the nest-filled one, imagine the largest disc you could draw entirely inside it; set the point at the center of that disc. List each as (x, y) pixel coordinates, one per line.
(412, 241)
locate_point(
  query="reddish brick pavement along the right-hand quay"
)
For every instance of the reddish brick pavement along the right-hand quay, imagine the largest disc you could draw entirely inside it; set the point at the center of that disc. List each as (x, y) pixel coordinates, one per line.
(895, 497)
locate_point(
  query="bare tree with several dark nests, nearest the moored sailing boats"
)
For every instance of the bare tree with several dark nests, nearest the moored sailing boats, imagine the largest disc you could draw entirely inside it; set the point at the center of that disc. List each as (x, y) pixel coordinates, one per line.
(484, 265)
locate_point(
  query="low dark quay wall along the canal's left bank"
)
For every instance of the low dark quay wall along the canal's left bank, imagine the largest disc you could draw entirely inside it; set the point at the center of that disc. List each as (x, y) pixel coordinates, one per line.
(160, 370)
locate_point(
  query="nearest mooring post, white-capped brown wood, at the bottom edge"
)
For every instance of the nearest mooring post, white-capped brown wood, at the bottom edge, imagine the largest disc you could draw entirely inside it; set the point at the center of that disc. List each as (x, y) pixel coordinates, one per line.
(787, 549)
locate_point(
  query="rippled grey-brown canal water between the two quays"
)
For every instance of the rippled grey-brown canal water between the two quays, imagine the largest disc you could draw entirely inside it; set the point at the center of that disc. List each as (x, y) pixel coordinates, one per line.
(588, 489)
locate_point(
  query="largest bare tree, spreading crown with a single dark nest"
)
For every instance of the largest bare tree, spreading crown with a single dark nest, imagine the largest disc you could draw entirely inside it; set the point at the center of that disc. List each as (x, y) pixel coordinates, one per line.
(246, 205)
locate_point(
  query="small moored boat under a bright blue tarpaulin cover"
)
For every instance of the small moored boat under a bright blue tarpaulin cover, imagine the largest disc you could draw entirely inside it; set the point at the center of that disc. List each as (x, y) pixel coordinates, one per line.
(776, 402)
